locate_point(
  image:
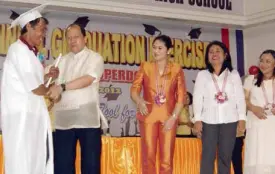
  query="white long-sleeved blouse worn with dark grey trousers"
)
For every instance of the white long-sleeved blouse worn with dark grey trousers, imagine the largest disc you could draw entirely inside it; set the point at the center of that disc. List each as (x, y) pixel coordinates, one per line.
(205, 106)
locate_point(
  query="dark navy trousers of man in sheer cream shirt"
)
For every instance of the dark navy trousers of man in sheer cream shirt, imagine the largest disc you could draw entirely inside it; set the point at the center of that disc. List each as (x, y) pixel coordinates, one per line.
(65, 150)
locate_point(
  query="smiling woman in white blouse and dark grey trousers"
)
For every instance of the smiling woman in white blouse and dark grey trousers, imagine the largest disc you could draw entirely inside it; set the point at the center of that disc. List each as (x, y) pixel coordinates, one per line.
(219, 108)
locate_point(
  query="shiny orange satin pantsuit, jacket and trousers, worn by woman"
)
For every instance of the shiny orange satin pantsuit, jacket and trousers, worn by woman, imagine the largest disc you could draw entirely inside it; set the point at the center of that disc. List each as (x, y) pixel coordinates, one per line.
(151, 125)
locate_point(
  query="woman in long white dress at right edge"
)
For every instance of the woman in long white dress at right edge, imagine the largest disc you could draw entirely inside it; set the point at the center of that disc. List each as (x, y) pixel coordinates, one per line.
(260, 134)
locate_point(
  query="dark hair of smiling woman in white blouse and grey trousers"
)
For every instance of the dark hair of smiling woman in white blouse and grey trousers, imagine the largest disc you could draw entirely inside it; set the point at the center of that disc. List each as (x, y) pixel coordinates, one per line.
(227, 62)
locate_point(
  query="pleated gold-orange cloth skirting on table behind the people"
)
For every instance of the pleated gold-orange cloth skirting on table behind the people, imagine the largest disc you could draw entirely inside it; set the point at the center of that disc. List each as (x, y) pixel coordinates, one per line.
(122, 156)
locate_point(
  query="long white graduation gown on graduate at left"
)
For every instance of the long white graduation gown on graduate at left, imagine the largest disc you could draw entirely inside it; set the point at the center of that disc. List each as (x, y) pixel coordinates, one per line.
(24, 116)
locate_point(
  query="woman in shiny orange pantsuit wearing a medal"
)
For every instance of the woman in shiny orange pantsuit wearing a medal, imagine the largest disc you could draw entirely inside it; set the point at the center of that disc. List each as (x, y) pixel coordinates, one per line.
(164, 94)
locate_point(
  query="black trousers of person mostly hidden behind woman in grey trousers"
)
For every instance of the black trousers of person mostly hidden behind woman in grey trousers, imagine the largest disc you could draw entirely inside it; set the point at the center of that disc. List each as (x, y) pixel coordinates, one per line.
(237, 159)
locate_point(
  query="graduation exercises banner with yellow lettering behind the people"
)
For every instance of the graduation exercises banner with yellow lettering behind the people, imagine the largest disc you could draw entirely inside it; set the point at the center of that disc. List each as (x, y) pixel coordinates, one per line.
(124, 43)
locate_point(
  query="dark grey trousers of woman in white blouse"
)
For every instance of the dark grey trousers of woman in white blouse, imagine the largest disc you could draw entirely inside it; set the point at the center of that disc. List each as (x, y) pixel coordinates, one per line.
(217, 139)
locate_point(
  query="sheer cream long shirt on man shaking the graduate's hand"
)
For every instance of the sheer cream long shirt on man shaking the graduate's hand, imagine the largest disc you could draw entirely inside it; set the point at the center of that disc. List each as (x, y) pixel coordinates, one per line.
(79, 108)
